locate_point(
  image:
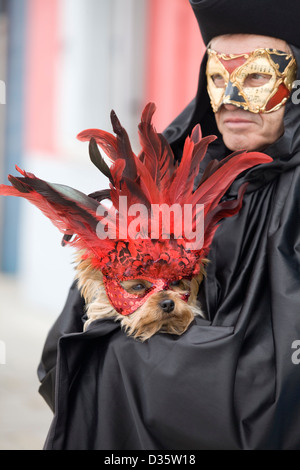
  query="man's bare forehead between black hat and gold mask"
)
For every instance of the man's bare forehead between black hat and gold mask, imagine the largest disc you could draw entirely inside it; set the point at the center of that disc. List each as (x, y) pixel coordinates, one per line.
(243, 43)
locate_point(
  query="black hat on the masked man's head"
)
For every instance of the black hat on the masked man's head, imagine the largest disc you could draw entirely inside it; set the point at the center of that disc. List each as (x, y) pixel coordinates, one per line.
(276, 18)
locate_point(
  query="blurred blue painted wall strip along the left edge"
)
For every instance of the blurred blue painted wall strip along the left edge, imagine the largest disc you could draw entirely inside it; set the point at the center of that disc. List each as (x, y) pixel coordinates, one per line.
(16, 12)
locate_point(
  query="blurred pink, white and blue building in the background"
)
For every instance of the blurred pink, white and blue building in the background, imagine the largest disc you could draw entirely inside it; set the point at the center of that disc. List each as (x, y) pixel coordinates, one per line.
(65, 64)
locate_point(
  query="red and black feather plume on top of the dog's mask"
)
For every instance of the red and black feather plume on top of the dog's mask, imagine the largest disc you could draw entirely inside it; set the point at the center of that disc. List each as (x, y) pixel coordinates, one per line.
(152, 178)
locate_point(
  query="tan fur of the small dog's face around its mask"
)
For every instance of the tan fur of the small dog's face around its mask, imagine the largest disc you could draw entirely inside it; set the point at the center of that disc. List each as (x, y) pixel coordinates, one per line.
(150, 317)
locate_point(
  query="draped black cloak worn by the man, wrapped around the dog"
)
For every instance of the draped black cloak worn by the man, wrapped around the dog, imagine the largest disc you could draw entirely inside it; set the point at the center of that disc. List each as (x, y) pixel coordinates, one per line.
(231, 381)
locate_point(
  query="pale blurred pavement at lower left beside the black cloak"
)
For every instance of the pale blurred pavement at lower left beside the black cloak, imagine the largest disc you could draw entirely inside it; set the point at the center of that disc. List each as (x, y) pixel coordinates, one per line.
(24, 415)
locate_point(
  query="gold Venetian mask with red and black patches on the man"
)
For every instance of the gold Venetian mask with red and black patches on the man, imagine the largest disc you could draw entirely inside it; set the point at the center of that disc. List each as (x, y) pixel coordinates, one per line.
(259, 81)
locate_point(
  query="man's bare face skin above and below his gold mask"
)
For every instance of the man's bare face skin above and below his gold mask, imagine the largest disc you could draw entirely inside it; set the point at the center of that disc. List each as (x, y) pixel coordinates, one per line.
(245, 130)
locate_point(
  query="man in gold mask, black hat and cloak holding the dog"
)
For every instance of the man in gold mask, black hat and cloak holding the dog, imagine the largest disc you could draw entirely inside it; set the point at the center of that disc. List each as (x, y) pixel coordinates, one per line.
(233, 380)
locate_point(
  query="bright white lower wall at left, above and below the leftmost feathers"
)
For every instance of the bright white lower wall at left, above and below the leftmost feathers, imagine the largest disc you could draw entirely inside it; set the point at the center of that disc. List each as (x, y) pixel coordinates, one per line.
(46, 268)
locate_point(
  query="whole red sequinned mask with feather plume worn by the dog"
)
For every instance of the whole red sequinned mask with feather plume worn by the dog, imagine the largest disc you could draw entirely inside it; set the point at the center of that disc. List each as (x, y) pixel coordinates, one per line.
(159, 226)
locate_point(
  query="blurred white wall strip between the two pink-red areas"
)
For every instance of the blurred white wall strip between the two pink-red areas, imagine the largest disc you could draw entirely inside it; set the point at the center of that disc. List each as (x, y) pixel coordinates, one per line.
(101, 66)
